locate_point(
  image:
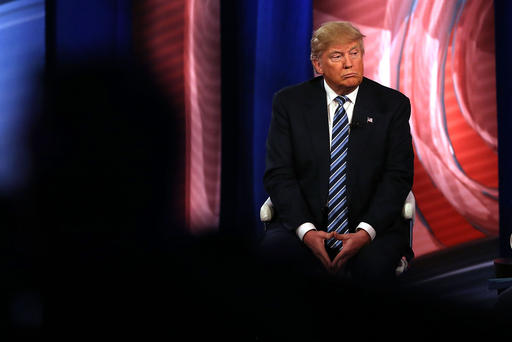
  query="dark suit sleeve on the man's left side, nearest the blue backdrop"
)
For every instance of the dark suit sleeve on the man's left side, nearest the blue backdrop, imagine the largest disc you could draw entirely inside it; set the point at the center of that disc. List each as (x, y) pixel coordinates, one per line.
(280, 178)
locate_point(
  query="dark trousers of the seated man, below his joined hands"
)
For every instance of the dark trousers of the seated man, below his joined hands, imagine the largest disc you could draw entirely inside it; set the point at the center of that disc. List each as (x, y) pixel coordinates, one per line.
(288, 261)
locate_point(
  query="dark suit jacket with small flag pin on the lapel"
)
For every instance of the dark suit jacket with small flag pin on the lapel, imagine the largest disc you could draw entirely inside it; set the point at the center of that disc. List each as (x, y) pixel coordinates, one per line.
(380, 156)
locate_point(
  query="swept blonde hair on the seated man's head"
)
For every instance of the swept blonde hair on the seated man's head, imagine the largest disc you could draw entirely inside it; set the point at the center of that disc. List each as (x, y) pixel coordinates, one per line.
(334, 31)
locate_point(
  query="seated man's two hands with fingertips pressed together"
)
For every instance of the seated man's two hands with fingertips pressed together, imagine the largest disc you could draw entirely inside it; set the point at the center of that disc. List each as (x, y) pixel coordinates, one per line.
(352, 243)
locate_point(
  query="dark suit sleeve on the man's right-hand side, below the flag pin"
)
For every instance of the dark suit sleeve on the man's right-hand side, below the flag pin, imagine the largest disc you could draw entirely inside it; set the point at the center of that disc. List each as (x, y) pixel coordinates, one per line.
(397, 175)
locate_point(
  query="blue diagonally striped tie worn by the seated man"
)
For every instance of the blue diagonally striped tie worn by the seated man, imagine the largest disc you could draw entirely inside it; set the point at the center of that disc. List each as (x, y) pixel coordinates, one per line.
(337, 219)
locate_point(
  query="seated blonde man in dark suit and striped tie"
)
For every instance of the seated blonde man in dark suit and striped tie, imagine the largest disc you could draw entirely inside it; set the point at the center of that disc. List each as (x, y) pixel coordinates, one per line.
(339, 167)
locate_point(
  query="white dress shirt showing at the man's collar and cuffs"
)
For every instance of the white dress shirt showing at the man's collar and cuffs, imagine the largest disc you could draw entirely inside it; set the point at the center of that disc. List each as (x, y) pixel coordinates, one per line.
(349, 109)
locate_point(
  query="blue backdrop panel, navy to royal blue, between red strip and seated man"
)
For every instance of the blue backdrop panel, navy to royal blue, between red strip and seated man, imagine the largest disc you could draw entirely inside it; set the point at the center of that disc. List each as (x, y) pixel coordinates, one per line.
(265, 46)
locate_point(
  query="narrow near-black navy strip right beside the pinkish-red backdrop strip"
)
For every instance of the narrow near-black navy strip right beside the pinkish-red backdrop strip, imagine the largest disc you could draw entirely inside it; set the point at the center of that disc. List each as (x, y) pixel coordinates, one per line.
(238, 43)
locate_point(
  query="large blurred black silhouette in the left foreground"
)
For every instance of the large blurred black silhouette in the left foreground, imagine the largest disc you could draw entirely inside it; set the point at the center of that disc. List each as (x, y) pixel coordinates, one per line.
(104, 211)
